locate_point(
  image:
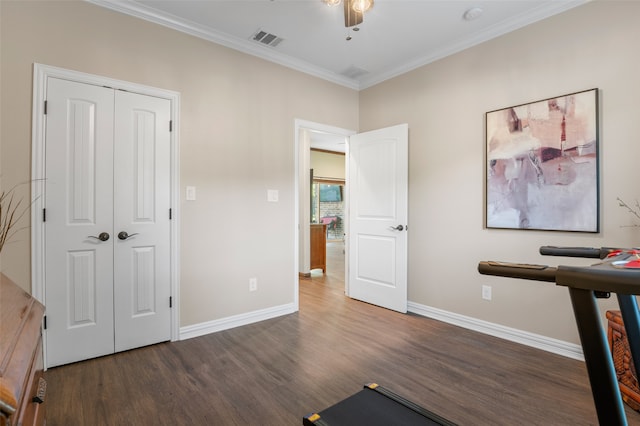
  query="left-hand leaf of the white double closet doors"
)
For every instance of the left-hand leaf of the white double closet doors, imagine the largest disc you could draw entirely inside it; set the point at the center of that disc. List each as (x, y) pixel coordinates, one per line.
(79, 207)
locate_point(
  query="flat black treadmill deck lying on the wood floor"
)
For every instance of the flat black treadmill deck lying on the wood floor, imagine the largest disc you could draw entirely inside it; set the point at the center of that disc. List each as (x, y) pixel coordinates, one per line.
(375, 406)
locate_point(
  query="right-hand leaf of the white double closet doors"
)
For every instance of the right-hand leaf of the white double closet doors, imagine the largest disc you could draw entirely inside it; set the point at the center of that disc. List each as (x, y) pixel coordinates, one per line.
(141, 181)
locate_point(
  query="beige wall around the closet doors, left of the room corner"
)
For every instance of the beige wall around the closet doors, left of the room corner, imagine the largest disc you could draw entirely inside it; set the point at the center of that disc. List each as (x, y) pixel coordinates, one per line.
(236, 141)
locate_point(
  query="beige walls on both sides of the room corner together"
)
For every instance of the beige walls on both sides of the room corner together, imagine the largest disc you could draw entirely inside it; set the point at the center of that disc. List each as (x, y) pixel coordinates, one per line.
(237, 135)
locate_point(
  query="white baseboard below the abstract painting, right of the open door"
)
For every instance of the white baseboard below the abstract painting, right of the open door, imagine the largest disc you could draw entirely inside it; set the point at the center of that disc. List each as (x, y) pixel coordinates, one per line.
(548, 344)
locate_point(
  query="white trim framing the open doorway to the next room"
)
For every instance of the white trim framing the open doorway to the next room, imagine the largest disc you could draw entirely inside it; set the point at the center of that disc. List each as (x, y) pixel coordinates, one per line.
(302, 214)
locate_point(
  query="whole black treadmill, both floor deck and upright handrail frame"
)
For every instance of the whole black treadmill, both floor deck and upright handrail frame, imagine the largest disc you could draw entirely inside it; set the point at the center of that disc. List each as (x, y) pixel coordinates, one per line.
(617, 272)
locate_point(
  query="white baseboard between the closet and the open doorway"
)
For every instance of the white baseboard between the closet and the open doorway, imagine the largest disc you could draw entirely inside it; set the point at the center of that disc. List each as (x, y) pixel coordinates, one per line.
(201, 329)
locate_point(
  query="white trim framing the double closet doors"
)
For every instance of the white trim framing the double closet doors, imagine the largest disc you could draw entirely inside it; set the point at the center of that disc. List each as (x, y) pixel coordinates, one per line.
(40, 75)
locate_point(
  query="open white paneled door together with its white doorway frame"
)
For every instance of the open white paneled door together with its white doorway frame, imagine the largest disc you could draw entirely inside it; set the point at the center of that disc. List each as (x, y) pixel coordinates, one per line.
(376, 213)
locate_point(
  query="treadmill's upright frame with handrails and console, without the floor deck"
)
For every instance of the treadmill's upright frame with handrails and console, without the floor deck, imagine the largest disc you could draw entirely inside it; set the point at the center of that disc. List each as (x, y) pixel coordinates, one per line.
(618, 273)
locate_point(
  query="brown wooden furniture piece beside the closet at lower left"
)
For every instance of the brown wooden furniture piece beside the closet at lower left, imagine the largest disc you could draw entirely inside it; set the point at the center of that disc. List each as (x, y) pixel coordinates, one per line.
(22, 386)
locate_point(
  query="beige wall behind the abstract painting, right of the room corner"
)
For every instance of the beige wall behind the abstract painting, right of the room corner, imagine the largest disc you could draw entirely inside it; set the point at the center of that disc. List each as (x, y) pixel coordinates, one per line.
(444, 104)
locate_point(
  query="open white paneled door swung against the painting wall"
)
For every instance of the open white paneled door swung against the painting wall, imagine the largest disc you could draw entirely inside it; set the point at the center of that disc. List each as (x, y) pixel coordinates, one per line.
(378, 212)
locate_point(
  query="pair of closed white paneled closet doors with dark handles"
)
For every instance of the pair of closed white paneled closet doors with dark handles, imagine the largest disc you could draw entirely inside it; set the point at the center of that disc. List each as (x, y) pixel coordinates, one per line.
(107, 171)
